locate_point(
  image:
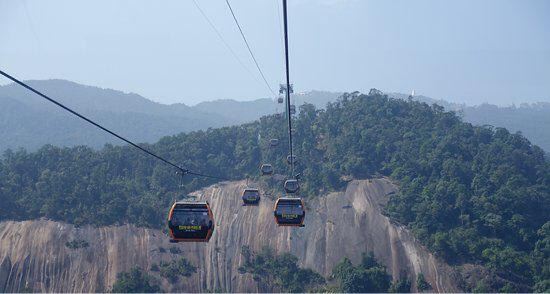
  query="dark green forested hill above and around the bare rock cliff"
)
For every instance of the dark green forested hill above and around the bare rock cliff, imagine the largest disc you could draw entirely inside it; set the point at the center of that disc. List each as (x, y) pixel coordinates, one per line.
(471, 194)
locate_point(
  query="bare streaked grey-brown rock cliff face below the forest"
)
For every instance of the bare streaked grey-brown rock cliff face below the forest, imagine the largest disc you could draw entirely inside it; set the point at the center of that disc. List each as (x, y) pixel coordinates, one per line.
(33, 254)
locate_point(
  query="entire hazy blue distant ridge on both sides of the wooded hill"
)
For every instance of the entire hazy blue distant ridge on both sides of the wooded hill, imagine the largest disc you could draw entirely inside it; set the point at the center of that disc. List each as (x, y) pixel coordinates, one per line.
(29, 122)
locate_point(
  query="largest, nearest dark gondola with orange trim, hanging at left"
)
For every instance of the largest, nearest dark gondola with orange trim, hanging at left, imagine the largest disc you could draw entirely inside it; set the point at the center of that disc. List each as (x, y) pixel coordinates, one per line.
(190, 221)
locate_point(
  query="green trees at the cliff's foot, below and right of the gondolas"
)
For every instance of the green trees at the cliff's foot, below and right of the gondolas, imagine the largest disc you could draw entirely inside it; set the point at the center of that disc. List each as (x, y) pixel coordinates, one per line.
(280, 273)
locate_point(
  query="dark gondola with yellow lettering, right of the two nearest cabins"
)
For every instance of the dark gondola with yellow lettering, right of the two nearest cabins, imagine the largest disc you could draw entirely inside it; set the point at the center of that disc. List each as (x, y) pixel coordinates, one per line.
(289, 211)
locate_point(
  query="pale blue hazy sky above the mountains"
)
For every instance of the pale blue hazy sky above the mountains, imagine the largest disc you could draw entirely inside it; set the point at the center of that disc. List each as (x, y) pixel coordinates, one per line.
(467, 51)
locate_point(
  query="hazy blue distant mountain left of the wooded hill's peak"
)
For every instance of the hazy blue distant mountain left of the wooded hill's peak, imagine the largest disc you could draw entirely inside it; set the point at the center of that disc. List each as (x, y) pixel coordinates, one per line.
(29, 121)
